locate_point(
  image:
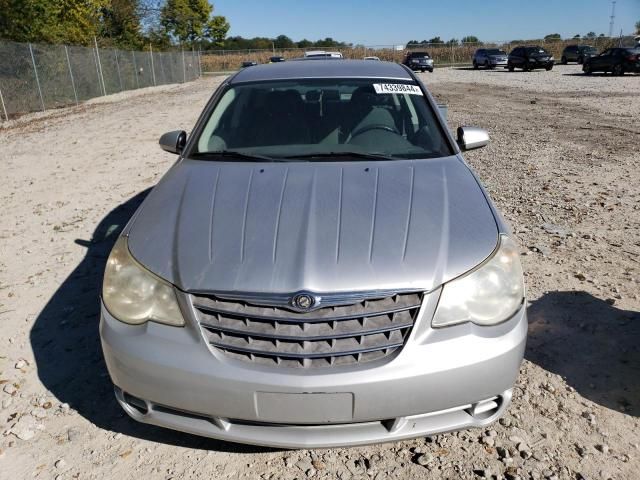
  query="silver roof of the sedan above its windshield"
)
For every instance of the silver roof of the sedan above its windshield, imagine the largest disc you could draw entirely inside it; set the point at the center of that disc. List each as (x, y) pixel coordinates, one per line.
(322, 69)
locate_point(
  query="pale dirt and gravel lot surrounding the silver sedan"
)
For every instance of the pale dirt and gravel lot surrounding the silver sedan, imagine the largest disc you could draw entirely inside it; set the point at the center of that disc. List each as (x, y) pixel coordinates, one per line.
(562, 167)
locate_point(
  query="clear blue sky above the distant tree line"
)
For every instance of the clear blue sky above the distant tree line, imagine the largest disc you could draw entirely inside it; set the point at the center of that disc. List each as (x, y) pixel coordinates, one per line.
(376, 22)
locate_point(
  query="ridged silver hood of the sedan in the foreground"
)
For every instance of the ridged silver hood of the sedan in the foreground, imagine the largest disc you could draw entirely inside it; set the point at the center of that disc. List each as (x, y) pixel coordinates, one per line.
(322, 227)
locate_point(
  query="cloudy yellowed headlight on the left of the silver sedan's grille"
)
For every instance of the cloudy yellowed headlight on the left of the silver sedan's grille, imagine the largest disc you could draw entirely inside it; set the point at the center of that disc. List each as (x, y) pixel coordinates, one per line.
(134, 295)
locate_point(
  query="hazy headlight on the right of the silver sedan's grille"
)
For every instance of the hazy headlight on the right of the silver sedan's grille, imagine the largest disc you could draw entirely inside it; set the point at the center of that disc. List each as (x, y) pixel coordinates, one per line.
(488, 295)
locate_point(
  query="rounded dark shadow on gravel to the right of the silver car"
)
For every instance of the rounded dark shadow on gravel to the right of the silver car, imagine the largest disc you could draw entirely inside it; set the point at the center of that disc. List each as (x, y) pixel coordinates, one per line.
(591, 343)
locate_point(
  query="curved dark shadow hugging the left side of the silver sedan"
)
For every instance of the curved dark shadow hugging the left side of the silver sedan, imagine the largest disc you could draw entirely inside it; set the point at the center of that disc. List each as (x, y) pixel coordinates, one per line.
(67, 351)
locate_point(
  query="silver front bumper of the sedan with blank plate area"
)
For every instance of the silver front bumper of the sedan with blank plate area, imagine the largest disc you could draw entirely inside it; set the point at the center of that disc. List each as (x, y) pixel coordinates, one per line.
(442, 380)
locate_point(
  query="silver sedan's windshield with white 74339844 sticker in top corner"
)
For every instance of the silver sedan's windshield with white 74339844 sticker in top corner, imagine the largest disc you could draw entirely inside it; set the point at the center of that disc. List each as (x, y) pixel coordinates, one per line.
(324, 118)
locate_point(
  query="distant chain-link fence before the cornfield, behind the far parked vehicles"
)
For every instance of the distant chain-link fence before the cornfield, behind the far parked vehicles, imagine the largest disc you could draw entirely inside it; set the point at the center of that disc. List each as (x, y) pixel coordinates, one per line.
(444, 54)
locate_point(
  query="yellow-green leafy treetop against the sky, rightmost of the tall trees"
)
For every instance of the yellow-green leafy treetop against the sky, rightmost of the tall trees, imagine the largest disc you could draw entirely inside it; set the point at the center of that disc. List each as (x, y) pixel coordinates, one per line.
(190, 21)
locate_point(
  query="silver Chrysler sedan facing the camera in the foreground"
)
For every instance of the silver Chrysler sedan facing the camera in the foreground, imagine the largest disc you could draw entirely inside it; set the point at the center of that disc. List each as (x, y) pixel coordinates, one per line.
(319, 267)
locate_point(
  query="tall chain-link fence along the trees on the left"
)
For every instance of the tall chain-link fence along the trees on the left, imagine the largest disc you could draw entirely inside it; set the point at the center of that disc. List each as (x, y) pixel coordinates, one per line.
(37, 77)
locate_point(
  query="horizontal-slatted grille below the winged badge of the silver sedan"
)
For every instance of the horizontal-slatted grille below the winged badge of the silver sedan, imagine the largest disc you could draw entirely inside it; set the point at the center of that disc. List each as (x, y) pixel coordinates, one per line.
(369, 329)
